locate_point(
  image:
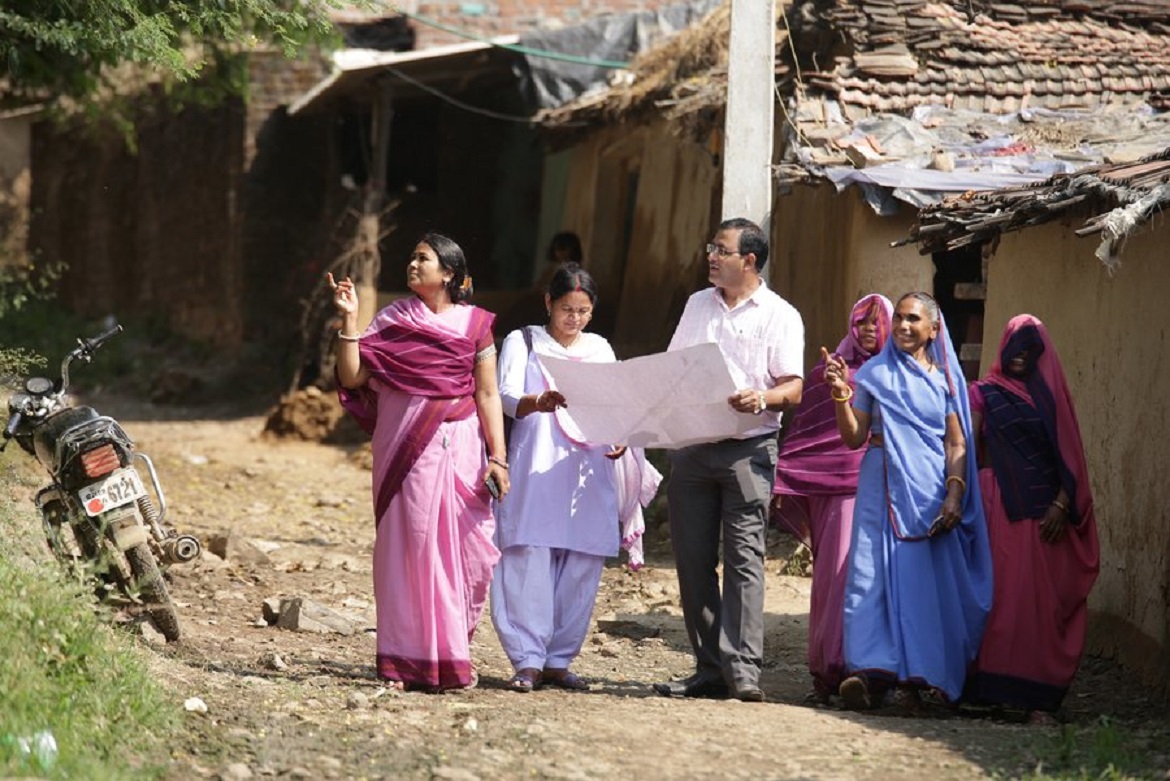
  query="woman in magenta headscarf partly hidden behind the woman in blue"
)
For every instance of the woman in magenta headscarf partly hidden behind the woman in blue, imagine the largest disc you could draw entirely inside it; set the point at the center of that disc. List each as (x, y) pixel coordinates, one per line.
(816, 486)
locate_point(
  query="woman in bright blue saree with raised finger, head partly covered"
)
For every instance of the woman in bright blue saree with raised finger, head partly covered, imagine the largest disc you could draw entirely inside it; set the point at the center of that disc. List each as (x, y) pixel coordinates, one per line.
(919, 588)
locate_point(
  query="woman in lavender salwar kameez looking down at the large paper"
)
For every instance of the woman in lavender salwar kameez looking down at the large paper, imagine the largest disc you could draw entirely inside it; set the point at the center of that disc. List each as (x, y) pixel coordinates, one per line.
(562, 521)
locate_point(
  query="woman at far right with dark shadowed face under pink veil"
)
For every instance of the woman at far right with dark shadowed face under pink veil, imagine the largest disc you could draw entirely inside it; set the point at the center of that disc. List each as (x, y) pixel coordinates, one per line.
(1042, 524)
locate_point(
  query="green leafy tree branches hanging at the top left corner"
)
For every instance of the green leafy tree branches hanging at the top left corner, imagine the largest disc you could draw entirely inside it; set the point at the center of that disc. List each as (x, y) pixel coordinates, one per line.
(71, 49)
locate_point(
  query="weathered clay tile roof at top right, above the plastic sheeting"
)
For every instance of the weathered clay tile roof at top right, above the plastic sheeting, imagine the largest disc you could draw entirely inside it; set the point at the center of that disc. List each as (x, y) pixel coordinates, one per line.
(1063, 50)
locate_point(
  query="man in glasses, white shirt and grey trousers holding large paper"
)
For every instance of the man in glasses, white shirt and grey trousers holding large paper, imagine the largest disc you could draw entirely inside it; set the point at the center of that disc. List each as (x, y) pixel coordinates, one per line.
(726, 486)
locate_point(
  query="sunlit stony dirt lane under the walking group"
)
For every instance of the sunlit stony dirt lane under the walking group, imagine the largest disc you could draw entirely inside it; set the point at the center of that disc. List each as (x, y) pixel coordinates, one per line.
(294, 521)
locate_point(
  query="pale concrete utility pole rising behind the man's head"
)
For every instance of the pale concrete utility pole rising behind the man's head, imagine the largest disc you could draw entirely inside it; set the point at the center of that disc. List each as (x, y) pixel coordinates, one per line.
(751, 109)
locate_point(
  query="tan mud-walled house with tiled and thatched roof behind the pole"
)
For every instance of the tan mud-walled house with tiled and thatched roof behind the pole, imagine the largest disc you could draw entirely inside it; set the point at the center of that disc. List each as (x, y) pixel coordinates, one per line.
(885, 109)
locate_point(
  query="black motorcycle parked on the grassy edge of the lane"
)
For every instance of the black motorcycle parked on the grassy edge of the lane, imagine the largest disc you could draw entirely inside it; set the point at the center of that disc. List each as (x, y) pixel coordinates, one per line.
(100, 519)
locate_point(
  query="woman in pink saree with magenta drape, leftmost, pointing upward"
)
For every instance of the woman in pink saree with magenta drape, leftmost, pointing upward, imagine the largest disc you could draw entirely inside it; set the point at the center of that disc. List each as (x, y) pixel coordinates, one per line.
(422, 379)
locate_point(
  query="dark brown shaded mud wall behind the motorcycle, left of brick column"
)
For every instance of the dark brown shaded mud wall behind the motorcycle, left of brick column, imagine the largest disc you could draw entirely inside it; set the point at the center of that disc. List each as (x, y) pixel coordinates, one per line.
(146, 232)
